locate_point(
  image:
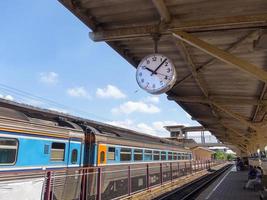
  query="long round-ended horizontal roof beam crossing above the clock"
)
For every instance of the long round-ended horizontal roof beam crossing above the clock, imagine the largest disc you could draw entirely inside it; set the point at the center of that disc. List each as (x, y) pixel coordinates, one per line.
(224, 23)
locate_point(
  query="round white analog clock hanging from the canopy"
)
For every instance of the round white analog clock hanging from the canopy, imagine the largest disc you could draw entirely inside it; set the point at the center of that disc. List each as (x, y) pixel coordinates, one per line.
(156, 74)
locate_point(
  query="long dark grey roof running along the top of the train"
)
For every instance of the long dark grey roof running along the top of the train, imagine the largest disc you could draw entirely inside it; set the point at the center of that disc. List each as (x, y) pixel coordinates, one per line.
(45, 116)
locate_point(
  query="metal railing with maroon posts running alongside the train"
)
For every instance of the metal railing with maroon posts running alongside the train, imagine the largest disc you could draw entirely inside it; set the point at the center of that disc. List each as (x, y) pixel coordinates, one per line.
(113, 182)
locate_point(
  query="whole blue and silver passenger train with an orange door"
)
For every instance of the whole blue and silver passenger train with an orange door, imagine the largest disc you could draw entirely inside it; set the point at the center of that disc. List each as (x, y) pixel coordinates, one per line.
(35, 141)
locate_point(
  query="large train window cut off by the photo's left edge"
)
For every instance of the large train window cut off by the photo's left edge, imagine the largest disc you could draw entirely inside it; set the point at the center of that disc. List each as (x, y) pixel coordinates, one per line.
(8, 151)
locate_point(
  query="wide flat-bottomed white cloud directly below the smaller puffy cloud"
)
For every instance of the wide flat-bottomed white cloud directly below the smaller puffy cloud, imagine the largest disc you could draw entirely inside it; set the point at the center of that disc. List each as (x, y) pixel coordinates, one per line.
(138, 106)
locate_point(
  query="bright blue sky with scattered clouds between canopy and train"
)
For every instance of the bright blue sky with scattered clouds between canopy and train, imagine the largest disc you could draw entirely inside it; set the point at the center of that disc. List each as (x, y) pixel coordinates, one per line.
(45, 51)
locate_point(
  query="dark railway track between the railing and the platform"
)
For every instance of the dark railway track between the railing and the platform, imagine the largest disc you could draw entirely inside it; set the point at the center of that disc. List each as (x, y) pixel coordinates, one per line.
(194, 188)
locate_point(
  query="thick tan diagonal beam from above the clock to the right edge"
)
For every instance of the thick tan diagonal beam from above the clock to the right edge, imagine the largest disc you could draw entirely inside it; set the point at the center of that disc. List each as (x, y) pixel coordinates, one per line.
(224, 56)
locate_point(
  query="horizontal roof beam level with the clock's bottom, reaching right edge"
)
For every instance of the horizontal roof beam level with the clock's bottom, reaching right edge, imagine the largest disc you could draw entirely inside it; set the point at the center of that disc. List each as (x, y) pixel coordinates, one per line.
(218, 99)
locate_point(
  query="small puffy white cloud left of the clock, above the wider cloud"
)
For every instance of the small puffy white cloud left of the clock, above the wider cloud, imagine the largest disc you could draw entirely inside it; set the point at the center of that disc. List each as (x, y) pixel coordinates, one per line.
(110, 91)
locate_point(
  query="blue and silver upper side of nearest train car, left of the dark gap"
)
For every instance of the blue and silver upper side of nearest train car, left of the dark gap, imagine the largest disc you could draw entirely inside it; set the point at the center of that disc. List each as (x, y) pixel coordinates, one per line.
(28, 145)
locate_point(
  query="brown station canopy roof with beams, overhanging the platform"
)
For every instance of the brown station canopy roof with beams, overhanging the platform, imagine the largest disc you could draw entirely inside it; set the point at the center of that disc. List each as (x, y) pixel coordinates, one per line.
(219, 49)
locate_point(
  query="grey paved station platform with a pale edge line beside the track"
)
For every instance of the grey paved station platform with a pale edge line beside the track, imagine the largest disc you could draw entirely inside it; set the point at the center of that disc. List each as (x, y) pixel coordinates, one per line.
(229, 187)
